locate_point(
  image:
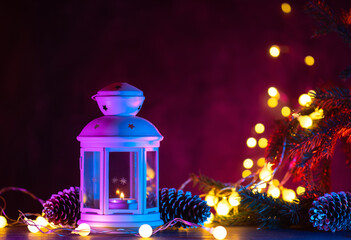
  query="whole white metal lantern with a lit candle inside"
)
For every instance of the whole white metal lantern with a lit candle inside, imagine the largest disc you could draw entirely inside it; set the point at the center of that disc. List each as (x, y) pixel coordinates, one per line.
(119, 162)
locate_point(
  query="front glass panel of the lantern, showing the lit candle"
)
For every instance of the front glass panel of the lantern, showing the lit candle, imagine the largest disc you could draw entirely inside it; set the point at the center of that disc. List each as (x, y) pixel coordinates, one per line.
(122, 180)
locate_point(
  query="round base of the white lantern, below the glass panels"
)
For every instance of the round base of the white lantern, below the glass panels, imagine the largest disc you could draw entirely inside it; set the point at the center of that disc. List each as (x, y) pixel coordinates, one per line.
(121, 220)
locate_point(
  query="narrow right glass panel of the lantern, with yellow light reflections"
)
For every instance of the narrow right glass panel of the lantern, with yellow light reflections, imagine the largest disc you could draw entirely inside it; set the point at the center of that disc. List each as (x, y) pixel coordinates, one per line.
(151, 176)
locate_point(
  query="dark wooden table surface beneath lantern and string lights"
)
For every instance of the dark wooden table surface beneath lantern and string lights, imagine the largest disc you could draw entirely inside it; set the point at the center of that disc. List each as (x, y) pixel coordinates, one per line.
(234, 233)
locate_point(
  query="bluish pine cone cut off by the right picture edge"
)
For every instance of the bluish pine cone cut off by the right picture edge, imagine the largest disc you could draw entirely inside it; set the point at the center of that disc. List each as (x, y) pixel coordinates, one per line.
(332, 212)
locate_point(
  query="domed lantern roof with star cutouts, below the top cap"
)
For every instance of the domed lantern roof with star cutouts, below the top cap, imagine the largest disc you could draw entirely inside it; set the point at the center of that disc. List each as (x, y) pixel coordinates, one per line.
(120, 126)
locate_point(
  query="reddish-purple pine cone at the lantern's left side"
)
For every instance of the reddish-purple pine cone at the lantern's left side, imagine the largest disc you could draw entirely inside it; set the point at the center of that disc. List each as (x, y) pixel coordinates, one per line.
(63, 208)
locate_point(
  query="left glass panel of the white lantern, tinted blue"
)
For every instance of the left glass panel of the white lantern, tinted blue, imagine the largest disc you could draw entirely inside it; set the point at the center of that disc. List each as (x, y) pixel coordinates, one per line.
(91, 183)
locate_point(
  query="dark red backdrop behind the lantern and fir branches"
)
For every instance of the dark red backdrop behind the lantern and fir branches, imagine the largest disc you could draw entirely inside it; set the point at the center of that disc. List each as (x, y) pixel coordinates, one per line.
(204, 68)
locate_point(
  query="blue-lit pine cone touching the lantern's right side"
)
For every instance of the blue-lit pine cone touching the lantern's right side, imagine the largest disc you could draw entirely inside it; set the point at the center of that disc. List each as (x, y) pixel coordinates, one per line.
(175, 204)
